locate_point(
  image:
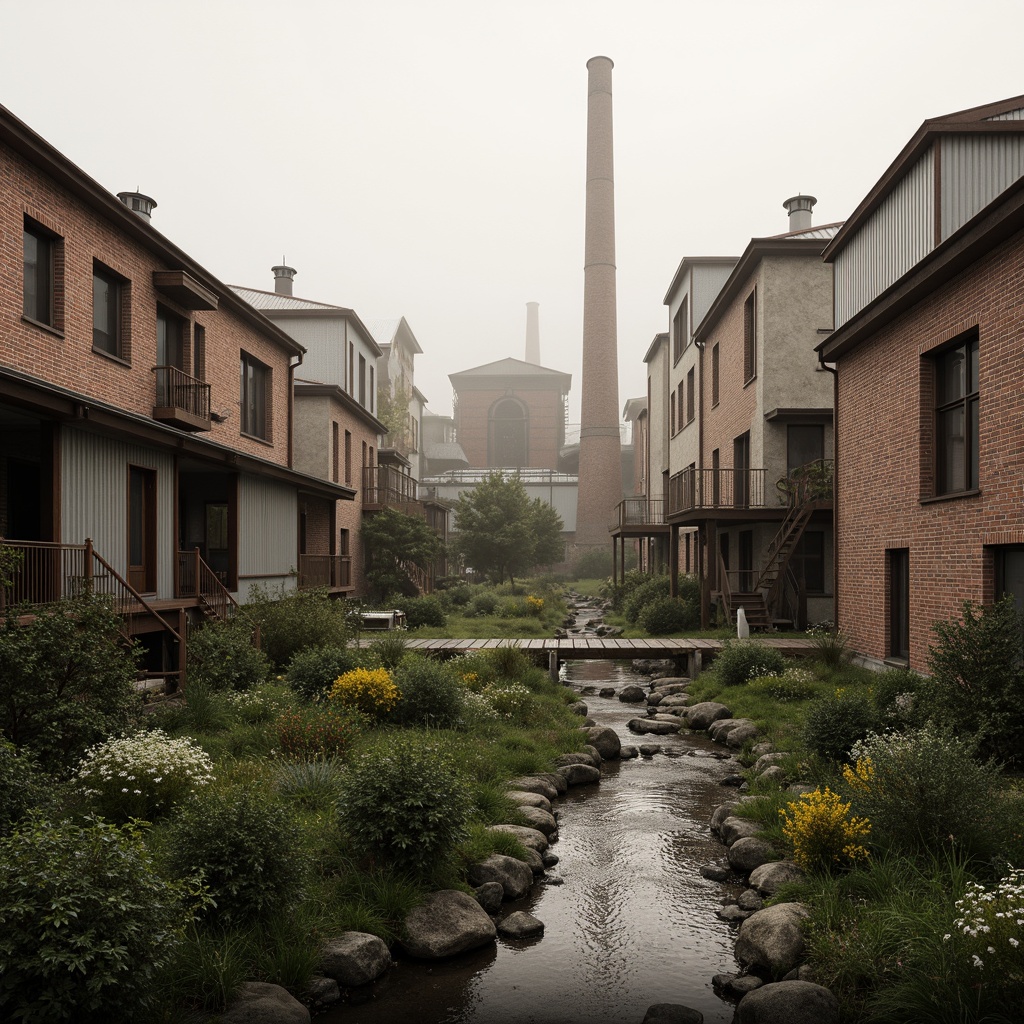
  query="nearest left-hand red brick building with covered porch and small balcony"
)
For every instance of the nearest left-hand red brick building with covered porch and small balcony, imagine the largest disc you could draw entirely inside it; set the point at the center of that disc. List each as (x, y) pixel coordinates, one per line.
(147, 411)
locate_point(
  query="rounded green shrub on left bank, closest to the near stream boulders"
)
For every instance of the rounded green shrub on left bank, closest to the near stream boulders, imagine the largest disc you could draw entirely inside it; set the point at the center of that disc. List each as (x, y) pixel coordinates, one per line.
(405, 802)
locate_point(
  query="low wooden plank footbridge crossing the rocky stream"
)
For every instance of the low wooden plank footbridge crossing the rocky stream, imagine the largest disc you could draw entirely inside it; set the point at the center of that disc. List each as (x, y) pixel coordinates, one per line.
(593, 649)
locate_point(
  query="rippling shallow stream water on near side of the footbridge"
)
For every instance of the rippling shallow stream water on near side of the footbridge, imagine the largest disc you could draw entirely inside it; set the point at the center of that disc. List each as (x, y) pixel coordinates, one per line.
(632, 923)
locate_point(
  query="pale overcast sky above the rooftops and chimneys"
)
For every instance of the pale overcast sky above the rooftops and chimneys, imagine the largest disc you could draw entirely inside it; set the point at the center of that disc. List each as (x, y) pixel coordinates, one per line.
(426, 158)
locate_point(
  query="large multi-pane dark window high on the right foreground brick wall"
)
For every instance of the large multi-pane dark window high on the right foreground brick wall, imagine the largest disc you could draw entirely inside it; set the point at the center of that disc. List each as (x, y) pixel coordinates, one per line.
(957, 418)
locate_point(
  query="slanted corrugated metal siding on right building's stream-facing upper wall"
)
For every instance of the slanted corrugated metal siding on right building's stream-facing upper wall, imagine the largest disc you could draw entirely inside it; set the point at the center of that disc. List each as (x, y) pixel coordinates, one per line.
(898, 236)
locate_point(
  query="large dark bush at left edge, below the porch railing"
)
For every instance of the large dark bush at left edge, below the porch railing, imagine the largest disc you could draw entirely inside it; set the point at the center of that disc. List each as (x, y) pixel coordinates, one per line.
(68, 679)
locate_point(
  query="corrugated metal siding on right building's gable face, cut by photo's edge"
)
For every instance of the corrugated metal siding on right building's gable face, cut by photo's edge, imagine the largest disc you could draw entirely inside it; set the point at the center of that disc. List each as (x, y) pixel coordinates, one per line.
(975, 170)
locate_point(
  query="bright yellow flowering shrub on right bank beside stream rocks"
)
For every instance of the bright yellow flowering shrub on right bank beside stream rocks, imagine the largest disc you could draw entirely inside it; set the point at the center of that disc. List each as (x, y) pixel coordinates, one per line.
(823, 832)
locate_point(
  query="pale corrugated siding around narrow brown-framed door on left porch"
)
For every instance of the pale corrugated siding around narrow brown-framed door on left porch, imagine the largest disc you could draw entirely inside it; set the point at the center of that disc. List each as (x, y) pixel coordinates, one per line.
(95, 500)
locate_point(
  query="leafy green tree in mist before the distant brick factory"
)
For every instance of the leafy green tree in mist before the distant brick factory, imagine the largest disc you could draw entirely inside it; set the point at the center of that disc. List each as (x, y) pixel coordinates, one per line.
(502, 533)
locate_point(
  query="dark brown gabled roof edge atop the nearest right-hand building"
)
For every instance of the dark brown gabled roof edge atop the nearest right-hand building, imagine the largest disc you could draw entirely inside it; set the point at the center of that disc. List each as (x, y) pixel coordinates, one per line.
(1005, 117)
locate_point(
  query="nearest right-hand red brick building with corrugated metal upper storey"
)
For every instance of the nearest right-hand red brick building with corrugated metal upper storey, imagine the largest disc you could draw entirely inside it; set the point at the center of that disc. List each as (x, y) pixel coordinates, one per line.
(929, 279)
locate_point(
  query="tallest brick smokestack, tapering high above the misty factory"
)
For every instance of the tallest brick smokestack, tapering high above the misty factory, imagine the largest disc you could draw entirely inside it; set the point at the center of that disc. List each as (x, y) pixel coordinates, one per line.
(601, 473)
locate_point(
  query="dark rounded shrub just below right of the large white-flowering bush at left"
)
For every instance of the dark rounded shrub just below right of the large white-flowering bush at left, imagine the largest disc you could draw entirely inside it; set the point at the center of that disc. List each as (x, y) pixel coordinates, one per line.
(244, 845)
